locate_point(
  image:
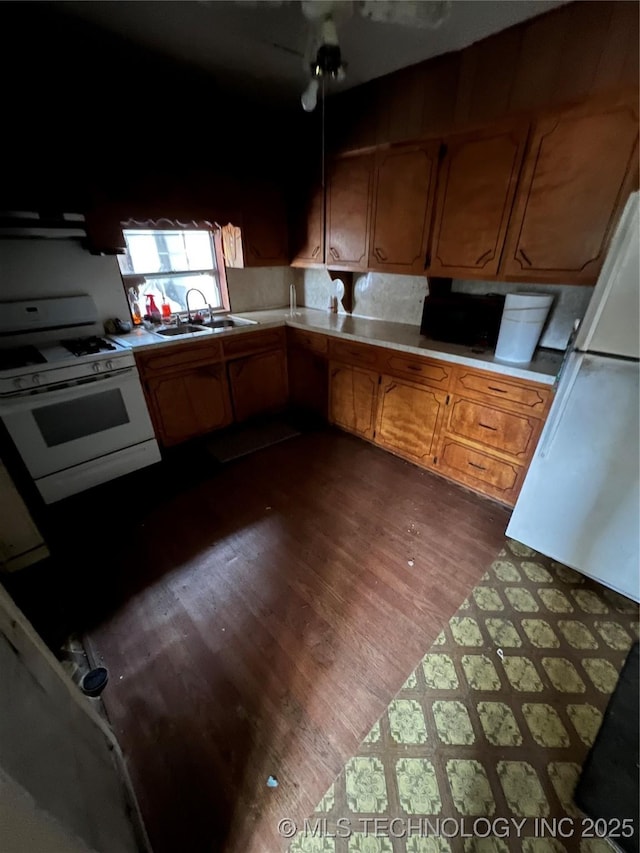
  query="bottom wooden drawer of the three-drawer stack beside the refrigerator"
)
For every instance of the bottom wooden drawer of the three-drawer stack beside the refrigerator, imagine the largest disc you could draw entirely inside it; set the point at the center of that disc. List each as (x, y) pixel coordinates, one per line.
(479, 471)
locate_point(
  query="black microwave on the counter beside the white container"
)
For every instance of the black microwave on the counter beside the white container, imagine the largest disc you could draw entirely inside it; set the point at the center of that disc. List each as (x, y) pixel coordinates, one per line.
(463, 318)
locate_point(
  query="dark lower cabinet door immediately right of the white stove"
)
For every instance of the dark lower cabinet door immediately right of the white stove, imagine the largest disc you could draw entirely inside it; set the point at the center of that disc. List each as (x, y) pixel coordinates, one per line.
(188, 404)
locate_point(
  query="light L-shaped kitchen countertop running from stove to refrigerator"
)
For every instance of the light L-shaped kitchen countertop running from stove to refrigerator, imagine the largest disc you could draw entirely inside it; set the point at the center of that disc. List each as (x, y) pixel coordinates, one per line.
(400, 336)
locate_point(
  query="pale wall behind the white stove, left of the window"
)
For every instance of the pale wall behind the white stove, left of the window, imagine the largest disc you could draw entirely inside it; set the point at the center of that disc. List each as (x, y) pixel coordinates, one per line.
(31, 268)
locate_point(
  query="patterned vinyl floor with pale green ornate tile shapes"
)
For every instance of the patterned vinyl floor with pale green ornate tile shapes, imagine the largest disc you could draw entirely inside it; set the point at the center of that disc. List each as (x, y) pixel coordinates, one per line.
(487, 737)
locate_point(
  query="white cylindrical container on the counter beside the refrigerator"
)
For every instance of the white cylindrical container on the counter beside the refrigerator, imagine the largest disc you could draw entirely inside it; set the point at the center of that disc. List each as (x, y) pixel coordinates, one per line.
(523, 317)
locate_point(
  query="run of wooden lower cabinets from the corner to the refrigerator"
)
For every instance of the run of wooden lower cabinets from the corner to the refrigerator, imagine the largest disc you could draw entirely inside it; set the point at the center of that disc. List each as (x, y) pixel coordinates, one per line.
(475, 427)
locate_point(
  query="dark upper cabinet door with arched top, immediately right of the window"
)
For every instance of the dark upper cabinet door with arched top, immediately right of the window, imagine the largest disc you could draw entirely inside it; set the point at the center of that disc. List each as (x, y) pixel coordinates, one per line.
(264, 227)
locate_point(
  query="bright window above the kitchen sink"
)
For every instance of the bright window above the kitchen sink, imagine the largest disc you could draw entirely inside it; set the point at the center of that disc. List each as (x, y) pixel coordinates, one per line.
(168, 263)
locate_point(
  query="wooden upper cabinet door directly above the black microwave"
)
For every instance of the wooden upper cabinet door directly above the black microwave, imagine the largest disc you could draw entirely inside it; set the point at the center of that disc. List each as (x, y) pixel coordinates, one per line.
(476, 186)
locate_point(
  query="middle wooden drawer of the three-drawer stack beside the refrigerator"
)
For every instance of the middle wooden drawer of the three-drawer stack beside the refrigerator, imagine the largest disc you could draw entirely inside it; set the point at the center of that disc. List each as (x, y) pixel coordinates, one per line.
(494, 428)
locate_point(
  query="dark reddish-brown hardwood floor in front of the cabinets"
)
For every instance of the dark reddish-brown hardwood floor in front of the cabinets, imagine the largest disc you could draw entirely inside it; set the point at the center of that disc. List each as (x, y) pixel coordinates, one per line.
(260, 618)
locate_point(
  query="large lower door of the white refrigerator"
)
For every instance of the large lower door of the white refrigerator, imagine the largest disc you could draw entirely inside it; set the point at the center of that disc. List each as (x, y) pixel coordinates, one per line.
(579, 503)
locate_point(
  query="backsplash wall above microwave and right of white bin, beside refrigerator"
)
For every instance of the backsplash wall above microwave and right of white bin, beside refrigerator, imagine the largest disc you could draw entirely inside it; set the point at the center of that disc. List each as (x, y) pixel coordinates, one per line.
(569, 304)
